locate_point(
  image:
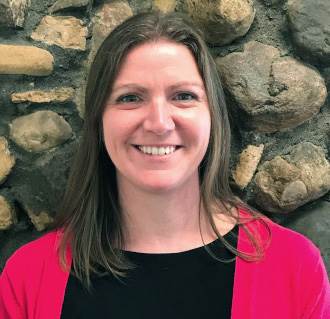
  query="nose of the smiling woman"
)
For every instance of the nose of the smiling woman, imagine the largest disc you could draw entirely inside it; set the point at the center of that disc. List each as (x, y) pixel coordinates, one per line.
(158, 118)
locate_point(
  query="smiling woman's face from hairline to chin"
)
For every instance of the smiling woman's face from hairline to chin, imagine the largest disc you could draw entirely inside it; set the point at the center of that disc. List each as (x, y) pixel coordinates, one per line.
(156, 122)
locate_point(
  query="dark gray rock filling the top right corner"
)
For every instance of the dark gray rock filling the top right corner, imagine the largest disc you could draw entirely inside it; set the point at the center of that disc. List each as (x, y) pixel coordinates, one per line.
(310, 25)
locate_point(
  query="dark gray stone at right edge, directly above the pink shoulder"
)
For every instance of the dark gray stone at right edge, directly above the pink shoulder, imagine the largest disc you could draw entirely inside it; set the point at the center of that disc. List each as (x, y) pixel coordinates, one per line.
(313, 221)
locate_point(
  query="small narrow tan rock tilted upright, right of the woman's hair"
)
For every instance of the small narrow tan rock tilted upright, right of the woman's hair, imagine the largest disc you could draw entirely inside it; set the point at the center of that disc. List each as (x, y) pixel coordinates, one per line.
(247, 165)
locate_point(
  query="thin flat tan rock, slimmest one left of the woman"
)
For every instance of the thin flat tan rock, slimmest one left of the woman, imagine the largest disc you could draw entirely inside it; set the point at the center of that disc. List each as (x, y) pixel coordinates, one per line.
(58, 95)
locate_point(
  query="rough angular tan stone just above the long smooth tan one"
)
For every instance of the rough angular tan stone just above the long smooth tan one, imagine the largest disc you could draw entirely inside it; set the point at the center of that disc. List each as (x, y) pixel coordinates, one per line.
(64, 31)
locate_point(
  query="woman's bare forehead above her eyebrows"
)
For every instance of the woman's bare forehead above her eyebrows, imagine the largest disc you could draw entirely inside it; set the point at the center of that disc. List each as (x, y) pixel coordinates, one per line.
(162, 59)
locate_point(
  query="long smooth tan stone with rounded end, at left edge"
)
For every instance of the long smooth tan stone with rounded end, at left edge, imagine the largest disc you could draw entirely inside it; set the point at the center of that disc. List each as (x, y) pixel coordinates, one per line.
(29, 60)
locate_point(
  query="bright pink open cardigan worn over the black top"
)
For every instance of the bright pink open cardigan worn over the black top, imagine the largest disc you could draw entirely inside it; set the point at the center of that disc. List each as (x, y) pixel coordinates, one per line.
(289, 283)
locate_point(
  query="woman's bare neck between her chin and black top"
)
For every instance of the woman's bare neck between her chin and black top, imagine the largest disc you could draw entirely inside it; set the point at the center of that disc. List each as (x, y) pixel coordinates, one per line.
(166, 221)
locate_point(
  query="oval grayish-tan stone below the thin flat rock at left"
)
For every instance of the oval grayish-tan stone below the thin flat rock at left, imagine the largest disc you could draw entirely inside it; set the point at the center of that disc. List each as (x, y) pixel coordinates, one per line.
(40, 131)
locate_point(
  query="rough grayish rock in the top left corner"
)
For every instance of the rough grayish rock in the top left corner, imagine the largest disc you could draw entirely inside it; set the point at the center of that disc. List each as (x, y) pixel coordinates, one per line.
(12, 12)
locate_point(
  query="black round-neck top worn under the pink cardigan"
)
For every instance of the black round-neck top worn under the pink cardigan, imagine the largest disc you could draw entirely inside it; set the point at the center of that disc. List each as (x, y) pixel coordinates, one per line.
(189, 284)
